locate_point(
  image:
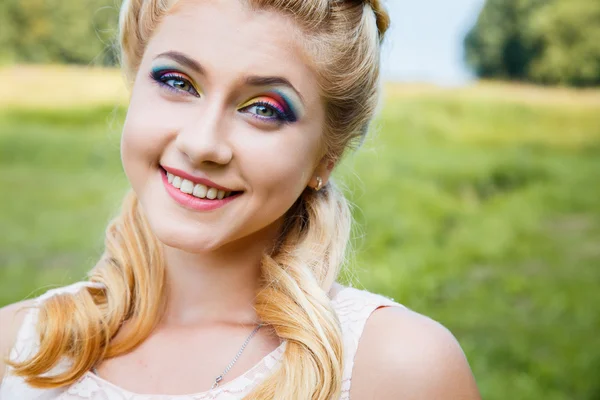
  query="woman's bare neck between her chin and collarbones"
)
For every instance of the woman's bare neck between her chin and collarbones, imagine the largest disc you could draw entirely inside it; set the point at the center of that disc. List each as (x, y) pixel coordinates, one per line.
(217, 286)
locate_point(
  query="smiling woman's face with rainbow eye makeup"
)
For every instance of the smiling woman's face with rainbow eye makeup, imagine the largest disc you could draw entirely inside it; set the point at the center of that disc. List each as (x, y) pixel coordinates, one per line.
(224, 101)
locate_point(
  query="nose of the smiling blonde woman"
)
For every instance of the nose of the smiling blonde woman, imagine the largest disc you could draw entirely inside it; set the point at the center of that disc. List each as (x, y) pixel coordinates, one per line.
(204, 139)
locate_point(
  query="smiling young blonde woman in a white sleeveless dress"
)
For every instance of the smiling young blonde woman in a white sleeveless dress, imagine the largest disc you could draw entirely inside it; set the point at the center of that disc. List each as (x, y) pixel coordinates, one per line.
(218, 278)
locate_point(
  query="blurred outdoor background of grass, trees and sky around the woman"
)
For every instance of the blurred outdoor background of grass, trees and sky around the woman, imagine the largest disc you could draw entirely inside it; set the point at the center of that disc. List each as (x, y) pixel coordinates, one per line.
(477, 196)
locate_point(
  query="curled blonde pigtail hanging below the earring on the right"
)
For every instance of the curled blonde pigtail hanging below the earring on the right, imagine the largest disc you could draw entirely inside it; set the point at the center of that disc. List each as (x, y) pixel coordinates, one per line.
(293, 297)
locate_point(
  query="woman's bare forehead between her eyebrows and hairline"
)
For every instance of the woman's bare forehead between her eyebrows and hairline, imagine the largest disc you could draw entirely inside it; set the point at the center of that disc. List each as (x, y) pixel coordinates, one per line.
(230, 40)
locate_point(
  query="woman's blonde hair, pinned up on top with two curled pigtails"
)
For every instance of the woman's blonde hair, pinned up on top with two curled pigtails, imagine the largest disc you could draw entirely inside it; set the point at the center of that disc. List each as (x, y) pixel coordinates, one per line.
(343, 38)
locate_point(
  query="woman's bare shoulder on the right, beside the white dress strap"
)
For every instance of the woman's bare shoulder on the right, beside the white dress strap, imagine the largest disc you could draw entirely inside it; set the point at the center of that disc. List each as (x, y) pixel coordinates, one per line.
(403, 354)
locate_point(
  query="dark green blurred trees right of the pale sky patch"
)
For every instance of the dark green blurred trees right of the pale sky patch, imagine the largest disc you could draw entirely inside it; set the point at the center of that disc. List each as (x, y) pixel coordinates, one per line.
(542, 41)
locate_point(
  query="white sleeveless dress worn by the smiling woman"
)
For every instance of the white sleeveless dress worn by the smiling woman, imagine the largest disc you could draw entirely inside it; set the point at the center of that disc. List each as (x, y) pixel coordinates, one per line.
(353, 307)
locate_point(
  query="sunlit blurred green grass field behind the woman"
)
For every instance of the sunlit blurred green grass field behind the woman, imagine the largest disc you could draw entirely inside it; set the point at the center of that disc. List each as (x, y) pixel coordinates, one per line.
(479, 207)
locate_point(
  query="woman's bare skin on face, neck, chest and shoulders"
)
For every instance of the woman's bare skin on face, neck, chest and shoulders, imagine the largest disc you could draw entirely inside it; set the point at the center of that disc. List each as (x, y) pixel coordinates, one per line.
(203, 122)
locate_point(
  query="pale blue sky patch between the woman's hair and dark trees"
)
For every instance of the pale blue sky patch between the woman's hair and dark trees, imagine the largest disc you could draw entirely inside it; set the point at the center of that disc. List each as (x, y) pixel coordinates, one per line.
(425, 40)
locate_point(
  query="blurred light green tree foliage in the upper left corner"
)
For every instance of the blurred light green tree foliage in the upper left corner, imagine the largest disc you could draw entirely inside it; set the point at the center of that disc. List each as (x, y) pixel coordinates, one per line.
(58, 31)
